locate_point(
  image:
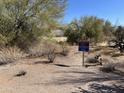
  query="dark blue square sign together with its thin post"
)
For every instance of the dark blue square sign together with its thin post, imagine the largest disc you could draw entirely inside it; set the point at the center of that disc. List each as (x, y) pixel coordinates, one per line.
(83, 47)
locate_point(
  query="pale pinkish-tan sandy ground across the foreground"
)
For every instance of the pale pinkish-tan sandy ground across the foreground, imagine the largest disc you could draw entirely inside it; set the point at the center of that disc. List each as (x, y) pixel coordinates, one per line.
(65, 75)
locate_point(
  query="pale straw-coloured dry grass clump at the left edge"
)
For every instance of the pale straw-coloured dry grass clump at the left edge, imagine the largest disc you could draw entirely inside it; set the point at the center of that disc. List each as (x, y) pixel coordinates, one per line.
(10, 54)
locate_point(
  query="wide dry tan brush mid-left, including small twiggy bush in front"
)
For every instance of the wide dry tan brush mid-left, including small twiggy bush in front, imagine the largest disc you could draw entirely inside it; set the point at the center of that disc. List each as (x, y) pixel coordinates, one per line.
(48, 49)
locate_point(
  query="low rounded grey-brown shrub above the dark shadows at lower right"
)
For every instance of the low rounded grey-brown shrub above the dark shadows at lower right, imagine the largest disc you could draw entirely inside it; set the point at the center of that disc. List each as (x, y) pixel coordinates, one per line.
(108, 68)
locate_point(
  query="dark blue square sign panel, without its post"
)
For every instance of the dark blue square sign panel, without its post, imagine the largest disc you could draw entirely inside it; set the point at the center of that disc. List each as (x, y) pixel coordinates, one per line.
(84, 46)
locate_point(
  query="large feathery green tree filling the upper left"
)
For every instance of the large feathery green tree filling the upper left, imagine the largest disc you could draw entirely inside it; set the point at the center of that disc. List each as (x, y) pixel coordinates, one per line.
(27, 20)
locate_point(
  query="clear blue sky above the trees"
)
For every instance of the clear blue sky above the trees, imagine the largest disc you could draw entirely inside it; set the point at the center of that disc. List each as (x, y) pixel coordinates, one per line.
(112, 10)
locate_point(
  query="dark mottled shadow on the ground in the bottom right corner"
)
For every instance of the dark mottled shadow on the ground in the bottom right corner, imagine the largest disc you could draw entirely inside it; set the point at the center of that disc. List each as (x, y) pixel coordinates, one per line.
(100, 88)
